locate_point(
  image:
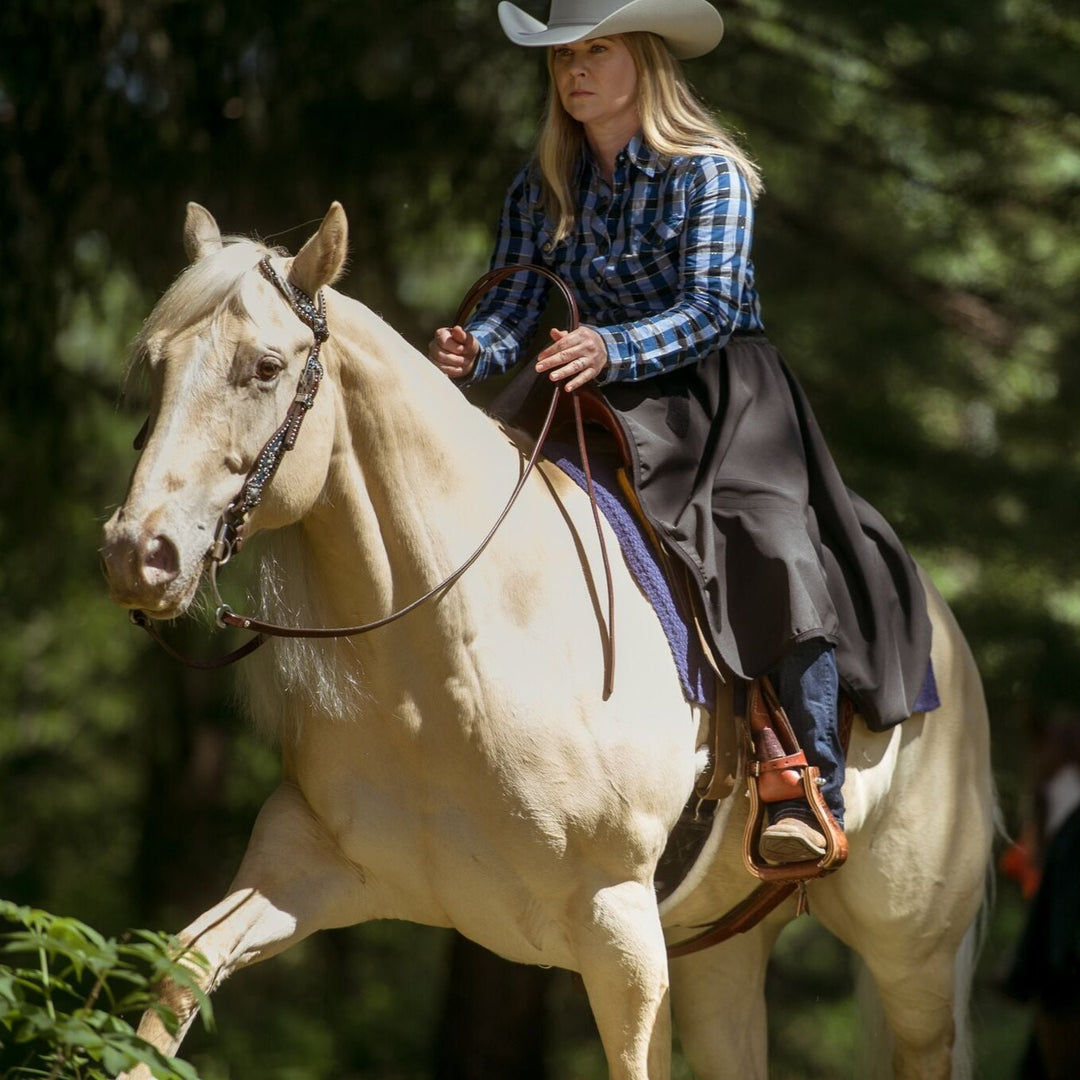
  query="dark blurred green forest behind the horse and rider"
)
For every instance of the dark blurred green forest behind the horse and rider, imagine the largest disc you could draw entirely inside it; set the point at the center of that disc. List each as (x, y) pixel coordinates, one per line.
(920, 261)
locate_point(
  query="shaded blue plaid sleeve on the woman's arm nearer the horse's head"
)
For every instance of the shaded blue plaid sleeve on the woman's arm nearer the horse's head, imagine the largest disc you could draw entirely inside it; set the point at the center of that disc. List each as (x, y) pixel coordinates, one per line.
(507, 316)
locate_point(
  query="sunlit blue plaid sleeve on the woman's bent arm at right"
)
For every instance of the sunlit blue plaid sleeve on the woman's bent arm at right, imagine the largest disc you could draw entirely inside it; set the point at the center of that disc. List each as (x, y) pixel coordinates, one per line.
(714, 262)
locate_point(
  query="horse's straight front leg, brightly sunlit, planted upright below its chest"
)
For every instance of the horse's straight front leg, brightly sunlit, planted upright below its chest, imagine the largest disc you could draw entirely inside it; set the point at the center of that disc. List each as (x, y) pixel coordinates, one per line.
(623, 961)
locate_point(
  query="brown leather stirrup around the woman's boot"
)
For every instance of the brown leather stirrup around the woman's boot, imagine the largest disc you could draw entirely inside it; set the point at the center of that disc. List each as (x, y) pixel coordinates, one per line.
(778, 771)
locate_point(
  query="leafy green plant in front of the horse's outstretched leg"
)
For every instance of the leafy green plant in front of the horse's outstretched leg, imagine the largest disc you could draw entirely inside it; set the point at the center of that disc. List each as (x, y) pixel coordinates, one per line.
(67, 989)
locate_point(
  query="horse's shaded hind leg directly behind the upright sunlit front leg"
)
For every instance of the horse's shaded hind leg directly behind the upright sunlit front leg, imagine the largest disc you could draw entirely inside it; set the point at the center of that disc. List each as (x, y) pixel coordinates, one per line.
(719, 996)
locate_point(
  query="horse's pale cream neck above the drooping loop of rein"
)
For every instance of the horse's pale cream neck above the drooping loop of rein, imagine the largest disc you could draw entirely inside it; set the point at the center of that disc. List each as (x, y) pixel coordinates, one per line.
(416, 469)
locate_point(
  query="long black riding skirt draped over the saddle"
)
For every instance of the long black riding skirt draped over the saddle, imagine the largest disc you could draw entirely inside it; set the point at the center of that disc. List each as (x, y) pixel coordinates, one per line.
(735, 475)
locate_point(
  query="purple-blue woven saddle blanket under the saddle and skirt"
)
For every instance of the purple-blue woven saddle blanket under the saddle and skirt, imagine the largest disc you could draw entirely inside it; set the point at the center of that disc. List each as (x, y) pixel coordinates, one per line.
(644, 563)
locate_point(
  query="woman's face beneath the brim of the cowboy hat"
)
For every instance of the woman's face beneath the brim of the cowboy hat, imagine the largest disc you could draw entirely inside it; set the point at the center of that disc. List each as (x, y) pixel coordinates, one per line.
(598, 83)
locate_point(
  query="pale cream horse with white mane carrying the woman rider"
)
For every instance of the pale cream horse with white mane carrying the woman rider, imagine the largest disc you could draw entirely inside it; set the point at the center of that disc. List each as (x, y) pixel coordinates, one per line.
(462, 767)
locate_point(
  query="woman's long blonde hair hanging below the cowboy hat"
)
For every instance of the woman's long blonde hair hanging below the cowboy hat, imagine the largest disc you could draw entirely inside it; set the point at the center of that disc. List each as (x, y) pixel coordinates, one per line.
(673, 123)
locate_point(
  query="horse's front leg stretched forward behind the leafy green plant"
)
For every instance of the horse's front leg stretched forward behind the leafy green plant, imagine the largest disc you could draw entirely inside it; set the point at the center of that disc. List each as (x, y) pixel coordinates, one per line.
(293, 882)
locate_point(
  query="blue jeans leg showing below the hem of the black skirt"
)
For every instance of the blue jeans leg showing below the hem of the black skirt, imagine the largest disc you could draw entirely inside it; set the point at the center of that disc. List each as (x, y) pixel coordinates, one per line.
(808, 687)
